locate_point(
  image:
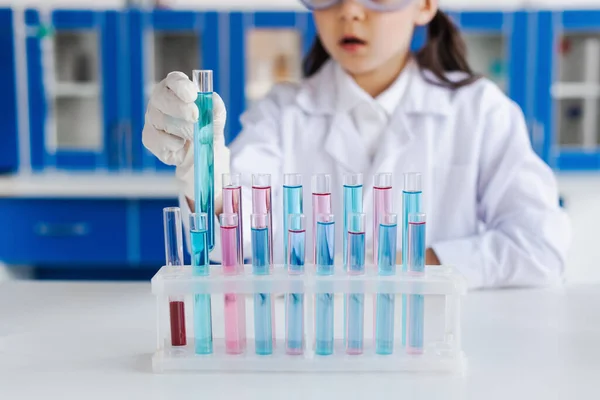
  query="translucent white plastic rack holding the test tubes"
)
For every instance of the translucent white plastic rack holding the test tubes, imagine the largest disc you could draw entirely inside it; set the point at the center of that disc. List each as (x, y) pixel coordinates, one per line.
(443, 285)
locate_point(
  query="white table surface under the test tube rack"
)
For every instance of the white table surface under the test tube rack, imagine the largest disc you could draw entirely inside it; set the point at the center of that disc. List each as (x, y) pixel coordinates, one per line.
(95, 341)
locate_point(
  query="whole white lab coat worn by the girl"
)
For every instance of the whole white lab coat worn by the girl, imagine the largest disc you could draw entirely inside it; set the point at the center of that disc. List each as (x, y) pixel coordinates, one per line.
(492, 205)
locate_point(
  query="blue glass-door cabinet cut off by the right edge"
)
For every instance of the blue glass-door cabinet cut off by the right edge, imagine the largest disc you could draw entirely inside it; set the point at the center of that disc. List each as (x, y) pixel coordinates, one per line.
(567, 106)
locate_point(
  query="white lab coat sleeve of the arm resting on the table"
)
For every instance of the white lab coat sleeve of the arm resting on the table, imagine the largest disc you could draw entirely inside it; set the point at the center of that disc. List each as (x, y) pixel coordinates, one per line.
(526, 234)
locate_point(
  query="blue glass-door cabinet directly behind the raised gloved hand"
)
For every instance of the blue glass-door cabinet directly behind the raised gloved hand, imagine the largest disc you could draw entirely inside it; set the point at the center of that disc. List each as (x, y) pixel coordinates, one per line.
(162, 41)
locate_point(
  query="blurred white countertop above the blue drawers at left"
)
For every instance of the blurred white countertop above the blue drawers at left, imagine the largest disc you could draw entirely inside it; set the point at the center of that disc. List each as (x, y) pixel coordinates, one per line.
(89, 185)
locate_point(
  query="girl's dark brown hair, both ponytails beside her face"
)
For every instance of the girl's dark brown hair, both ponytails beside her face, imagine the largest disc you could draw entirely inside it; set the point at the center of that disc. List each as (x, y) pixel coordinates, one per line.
(445, 51)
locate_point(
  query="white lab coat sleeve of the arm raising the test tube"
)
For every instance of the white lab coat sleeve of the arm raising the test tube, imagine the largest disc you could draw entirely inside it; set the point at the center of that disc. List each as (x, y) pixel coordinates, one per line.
(255, 150)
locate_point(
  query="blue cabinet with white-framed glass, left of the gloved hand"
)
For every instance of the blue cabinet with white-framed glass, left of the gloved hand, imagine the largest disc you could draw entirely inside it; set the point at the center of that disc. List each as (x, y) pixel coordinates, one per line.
(74, 99)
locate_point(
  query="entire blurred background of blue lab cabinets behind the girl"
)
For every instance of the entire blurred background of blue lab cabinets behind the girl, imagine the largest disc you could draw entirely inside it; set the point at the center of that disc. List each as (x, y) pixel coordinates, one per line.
(80, 198)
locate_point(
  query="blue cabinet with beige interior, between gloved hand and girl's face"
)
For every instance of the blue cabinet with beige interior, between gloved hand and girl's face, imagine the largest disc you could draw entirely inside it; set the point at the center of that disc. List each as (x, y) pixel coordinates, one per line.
(264, 48)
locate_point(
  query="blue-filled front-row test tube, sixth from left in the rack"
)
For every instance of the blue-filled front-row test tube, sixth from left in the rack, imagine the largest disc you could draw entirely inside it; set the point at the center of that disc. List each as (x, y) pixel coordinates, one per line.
(325, 248)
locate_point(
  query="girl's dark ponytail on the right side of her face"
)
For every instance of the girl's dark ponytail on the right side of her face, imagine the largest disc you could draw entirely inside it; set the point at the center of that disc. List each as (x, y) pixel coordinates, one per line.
(445, 51)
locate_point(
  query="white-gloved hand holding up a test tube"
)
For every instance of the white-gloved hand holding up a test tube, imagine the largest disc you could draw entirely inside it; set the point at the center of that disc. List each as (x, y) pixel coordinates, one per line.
(169, 130)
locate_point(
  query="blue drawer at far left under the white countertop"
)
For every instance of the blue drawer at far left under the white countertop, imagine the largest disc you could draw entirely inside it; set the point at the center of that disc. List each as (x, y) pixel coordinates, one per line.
(65, 232)
